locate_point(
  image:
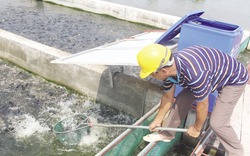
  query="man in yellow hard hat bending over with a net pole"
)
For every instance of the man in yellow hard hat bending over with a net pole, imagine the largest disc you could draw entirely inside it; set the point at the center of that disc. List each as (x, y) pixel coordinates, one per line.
(200, 71)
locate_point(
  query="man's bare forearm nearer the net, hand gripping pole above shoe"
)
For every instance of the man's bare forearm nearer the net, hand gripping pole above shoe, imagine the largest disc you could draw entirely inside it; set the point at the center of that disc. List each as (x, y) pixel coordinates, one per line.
(166, 102)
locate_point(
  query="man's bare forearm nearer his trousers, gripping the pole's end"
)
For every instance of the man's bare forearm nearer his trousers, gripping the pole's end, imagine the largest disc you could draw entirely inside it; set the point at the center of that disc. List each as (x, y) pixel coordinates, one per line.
(201, 115)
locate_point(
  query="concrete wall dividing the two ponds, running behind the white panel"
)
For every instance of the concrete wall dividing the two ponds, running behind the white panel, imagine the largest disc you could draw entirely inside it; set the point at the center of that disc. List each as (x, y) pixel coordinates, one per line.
(129, 94)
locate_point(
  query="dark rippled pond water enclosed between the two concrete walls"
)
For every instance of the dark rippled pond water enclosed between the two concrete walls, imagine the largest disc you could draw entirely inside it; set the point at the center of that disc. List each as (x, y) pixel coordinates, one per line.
(67, 29)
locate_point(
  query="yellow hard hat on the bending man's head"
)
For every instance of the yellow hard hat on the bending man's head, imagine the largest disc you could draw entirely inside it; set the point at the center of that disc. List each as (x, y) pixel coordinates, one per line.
(152, 57)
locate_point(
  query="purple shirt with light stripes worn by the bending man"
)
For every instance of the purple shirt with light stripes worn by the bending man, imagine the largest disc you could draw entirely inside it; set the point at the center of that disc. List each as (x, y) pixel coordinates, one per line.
(203, 70)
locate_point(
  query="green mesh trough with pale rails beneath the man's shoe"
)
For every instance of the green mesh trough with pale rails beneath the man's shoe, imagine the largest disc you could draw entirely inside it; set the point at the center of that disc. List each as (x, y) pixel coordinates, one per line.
(129, 141)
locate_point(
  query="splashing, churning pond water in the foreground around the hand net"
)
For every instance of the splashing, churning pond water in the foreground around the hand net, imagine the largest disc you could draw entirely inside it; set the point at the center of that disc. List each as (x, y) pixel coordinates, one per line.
(29, 108)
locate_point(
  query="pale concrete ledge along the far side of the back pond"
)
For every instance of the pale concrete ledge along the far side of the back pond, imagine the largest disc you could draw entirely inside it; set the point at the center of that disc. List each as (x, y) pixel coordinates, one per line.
(121, 12)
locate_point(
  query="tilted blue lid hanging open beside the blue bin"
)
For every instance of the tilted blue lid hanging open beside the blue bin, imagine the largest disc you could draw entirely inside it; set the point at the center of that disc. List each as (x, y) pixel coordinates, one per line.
(176, 28)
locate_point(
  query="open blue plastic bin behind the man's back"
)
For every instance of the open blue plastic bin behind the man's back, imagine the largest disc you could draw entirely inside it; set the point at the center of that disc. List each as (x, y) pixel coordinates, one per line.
(223, 36)
